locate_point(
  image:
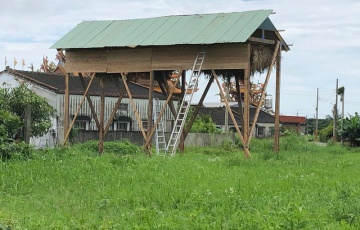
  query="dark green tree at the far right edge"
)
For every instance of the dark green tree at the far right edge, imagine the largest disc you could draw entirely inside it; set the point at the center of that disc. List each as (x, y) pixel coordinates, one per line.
(351, 130)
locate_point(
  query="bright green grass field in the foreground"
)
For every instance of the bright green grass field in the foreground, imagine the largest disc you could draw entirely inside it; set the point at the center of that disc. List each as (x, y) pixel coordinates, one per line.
(304, 187)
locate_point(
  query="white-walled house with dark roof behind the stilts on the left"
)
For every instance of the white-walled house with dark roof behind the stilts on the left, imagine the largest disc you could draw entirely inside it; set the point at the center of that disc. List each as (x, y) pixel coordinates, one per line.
(52, 87)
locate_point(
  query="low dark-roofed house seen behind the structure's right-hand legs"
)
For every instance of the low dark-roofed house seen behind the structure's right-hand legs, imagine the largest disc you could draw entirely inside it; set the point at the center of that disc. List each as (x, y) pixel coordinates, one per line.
(263, 128)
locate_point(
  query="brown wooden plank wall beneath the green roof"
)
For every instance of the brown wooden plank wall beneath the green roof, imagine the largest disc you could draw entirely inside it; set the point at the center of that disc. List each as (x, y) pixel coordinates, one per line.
(144, 59)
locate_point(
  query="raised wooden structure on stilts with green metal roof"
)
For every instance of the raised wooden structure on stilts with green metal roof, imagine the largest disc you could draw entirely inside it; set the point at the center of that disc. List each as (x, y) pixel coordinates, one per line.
(158, 46)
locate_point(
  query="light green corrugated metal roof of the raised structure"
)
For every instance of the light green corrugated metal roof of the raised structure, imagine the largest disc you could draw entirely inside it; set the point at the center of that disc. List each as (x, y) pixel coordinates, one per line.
(169, 30)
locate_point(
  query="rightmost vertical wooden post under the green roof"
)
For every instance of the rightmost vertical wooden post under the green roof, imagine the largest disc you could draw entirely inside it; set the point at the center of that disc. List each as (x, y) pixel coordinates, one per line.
(277, 104)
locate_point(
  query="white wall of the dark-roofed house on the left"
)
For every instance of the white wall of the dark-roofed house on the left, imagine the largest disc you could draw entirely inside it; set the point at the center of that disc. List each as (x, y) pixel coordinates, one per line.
(56, 132)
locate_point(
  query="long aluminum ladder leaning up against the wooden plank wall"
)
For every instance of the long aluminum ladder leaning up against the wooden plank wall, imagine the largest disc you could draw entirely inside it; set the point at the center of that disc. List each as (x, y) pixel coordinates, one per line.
(185, 104)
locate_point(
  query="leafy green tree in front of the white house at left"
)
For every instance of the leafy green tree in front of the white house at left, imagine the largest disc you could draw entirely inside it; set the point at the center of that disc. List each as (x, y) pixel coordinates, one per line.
(13, 103)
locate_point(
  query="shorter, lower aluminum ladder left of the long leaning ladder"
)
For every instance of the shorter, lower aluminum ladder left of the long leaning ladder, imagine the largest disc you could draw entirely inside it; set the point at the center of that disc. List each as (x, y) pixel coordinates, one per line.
(160, 141)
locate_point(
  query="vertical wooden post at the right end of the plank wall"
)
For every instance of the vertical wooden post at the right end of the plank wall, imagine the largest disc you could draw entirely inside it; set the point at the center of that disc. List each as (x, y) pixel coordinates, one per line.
(247, 99)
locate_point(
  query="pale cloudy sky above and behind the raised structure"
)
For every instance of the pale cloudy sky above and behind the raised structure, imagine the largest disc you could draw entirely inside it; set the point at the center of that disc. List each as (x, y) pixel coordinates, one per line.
(324, 34)
